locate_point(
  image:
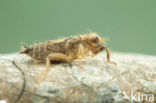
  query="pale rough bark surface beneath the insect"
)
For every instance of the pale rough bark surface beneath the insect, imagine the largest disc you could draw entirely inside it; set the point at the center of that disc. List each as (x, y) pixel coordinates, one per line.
(89, 80)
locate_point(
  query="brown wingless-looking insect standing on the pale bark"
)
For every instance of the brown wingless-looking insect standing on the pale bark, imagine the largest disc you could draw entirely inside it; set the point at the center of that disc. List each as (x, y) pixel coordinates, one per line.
(67, 49)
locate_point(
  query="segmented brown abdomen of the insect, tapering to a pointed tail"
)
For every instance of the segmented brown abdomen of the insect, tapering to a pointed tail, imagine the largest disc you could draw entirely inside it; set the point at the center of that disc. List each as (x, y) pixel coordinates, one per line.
(42, 50)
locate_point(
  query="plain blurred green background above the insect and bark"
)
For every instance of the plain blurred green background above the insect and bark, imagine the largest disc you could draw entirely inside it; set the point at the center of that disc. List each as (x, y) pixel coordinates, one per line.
(129, 24)
